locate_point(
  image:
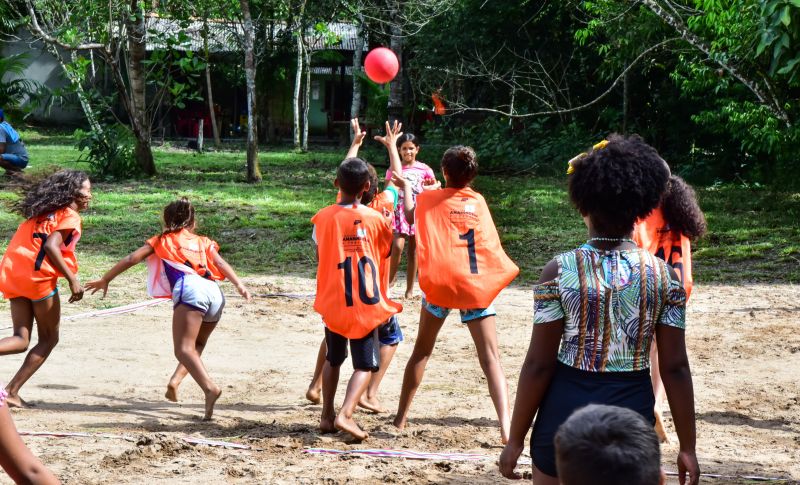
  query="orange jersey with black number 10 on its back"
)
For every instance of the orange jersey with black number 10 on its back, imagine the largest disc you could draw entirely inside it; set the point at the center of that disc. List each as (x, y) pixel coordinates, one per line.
(354, 244)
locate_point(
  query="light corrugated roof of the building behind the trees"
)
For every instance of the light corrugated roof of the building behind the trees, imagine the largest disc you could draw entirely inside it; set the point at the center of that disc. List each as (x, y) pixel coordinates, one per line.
(226, 36)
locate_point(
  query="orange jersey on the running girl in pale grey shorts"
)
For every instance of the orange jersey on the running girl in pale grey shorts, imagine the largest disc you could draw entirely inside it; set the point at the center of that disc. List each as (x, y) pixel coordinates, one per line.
(176, 253)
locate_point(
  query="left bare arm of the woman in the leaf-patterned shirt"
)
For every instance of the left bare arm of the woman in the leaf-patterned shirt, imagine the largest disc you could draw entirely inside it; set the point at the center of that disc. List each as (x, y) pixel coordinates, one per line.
(534, 379)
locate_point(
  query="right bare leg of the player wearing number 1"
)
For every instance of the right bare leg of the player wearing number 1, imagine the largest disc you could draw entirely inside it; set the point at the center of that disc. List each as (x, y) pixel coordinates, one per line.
(484, 335)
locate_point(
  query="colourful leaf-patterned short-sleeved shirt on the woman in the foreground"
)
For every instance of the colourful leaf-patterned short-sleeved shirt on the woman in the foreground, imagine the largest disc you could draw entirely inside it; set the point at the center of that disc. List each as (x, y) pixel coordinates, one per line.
(610, 302)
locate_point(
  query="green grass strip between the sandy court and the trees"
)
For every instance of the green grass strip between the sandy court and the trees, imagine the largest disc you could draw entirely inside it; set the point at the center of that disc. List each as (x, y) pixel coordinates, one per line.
(753, 235)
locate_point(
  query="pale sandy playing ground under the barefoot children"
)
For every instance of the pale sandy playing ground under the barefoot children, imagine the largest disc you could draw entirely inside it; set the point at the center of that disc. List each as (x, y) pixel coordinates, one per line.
(108, 375)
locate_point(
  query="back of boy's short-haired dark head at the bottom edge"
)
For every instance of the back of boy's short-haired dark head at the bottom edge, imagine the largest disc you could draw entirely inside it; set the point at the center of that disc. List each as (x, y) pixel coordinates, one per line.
(607, 445)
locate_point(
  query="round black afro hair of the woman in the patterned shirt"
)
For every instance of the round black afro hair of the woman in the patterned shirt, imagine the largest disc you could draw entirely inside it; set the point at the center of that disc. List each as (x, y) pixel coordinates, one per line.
(618, 184)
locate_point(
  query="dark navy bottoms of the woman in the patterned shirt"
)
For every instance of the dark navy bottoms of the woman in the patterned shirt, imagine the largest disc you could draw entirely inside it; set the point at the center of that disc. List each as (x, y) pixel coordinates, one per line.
(572, 389)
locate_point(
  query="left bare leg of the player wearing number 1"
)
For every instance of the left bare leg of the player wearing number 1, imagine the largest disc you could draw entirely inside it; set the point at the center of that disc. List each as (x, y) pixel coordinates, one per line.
(429, 326)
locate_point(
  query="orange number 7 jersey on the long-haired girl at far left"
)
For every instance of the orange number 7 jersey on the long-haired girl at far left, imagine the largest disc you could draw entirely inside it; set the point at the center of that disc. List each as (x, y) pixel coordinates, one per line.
(26, 270)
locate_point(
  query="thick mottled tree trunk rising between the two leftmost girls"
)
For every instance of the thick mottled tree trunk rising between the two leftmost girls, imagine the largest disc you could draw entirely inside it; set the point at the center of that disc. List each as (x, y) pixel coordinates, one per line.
(136, 76)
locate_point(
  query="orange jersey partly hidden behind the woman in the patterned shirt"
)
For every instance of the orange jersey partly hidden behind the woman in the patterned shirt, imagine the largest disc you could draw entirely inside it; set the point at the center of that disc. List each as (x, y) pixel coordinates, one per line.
(654, 235)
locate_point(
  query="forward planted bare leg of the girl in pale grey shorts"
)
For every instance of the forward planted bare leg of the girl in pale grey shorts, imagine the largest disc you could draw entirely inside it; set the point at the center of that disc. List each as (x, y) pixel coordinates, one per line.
(186, 324)
